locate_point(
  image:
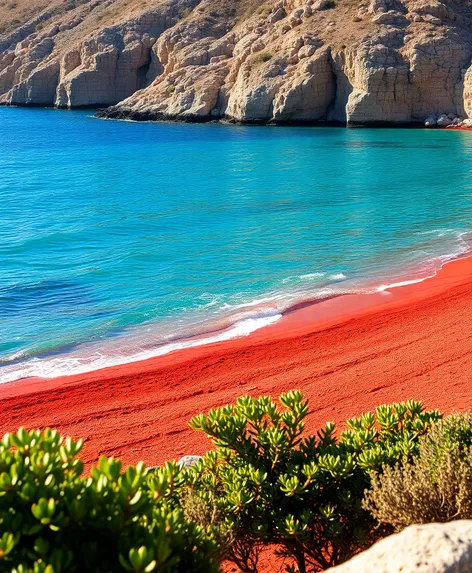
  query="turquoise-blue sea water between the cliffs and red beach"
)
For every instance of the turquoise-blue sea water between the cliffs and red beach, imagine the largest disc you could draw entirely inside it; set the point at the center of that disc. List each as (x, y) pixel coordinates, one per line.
(119, 240)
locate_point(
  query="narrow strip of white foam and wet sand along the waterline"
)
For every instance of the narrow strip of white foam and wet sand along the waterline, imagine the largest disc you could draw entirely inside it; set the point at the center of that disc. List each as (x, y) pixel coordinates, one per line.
(267, 319)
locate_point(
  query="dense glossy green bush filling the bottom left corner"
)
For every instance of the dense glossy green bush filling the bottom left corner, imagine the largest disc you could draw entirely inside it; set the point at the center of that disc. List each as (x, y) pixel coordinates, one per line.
(53, 520)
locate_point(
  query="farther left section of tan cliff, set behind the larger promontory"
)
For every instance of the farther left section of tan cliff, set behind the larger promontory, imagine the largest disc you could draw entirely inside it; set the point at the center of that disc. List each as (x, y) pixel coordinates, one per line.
(92, 54)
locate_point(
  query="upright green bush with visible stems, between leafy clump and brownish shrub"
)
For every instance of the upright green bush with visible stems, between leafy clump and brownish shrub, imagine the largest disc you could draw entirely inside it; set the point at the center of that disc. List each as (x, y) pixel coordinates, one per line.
(302, 495)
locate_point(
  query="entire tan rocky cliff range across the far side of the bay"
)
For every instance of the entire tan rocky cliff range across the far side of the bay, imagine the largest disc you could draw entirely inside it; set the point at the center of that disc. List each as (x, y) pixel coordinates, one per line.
(282, 61)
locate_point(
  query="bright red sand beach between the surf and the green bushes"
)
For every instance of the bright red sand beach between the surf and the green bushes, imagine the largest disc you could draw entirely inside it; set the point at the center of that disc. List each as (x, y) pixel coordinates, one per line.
(347, 354)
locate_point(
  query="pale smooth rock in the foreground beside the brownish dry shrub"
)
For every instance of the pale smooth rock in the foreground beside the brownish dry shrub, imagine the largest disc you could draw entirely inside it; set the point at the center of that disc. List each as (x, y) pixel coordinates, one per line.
(432, 548)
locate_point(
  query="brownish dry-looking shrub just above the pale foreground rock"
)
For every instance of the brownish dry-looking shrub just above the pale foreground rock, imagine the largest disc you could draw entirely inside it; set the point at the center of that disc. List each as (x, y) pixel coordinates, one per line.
(434, 487)
